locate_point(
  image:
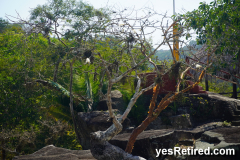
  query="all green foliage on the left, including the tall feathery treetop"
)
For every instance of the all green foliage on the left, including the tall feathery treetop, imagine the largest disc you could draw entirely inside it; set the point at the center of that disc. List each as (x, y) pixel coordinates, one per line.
(34, 73)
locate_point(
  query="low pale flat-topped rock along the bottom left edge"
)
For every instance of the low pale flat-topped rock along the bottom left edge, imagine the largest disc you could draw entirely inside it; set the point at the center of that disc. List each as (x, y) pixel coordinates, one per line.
(51, 152)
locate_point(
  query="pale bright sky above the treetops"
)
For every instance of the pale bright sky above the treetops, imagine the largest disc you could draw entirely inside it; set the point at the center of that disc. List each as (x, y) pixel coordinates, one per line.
(23, 7)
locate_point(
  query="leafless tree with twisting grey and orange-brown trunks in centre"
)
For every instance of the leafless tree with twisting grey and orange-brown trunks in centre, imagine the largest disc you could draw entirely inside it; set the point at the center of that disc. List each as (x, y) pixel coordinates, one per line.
(123, 28)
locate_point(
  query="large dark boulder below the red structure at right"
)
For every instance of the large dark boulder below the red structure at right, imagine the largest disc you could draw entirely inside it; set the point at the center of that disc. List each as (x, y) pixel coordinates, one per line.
(191, 110)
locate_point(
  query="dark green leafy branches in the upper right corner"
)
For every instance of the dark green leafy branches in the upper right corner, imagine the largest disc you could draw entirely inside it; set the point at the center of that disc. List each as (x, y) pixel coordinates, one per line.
(218, 24)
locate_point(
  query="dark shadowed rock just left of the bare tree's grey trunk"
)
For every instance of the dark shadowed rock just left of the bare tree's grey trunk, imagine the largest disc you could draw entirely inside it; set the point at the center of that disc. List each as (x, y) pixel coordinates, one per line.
(95, 121)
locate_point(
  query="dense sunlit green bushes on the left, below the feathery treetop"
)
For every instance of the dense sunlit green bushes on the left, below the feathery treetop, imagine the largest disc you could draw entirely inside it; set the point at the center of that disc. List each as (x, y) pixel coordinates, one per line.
(24, 104)
